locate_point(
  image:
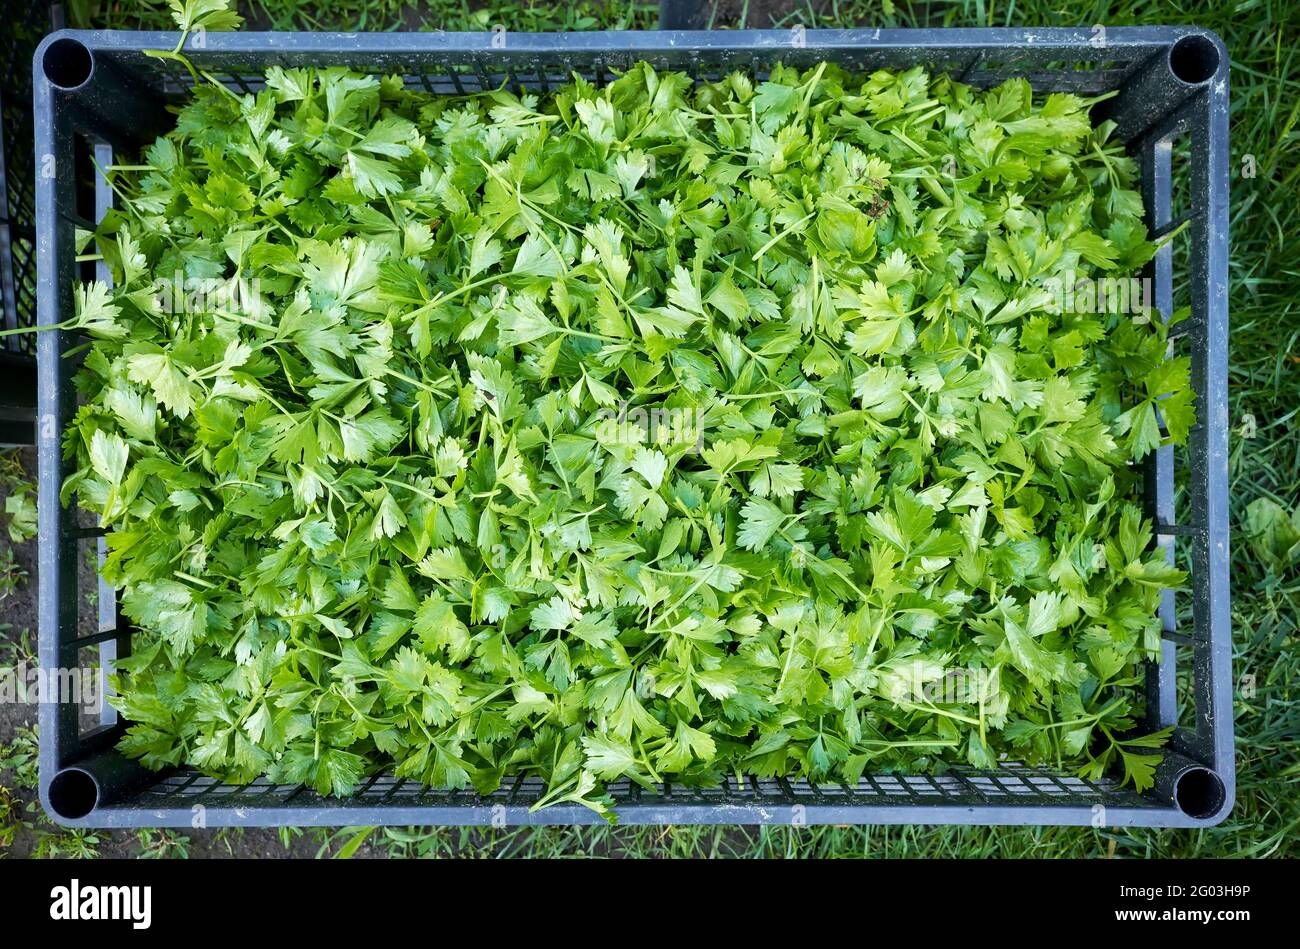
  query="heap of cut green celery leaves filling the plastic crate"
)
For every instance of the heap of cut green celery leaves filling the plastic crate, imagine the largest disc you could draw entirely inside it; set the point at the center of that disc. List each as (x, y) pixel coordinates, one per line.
(385, 505)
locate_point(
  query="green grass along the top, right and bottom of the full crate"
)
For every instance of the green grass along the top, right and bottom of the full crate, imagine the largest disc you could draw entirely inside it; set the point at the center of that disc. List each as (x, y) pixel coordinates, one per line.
(1264, 37)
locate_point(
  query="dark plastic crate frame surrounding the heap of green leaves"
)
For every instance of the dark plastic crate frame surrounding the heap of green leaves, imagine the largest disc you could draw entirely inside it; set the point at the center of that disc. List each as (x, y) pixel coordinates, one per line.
(98, 92)
